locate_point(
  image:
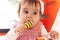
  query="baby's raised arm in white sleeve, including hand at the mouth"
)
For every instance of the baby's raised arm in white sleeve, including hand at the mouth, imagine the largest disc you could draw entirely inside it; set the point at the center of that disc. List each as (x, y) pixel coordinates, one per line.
(14, 32)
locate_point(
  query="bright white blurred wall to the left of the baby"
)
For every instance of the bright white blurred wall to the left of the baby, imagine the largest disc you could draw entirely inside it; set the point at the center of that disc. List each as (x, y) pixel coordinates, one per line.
(8, 13)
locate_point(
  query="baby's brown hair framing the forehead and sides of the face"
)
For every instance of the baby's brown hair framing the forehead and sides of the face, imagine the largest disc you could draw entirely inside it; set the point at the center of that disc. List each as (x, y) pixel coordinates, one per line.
(33, 2)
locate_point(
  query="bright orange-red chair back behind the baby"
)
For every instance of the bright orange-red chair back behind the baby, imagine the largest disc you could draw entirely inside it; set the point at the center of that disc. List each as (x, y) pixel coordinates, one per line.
(51, 9)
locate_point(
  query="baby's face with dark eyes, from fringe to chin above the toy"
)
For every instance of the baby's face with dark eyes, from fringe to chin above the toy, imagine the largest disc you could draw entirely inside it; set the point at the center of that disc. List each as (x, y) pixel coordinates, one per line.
(30, 12)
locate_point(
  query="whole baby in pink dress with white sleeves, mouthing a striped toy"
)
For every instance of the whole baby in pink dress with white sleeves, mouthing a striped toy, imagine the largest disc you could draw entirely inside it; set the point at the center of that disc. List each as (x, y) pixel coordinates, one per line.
(32, 11)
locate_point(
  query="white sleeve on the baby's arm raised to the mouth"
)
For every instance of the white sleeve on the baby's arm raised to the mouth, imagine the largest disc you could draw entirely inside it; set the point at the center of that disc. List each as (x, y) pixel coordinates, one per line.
(11, 35)
